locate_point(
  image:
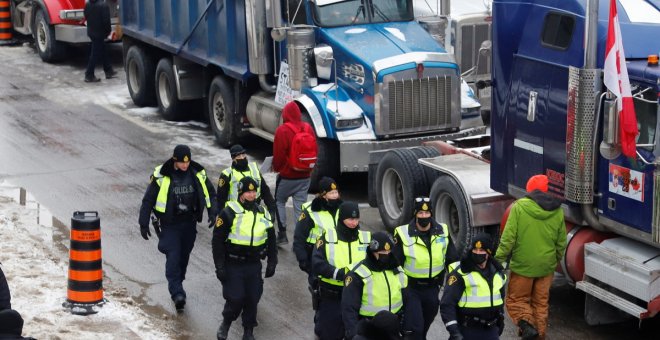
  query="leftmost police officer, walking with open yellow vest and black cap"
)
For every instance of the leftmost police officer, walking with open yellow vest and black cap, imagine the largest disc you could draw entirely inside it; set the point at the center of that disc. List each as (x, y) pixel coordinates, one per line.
(178, 193)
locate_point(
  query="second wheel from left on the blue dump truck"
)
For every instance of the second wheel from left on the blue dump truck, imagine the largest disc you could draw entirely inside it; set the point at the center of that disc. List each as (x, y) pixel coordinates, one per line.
(169, 105)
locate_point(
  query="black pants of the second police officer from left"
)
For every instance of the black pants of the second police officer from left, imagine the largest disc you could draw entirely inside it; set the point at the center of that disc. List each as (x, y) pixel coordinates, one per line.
(242, 291)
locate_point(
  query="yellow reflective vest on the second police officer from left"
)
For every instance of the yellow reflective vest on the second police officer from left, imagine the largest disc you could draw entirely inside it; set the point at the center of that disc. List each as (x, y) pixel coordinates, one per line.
(248, 229)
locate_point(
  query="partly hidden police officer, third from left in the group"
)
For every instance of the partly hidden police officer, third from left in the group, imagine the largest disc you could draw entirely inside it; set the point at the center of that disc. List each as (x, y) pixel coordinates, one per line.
(317, 216)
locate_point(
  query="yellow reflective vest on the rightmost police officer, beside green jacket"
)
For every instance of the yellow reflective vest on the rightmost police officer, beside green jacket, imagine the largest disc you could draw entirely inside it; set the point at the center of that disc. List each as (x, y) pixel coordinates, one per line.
(477, 292)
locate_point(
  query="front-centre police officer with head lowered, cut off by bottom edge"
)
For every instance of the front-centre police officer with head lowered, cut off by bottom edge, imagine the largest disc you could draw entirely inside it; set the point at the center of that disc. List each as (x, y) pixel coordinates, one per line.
(375, 284)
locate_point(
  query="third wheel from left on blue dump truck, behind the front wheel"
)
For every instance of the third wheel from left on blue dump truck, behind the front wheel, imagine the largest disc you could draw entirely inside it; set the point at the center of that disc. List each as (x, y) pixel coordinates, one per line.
(224, 122)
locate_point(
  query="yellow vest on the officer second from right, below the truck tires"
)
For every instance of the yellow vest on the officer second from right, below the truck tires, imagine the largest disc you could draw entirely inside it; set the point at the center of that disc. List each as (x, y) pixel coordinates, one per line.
(417, 259)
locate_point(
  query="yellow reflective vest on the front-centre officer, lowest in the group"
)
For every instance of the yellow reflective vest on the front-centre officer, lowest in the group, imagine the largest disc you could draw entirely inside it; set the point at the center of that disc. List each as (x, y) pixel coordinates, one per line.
(381, 291)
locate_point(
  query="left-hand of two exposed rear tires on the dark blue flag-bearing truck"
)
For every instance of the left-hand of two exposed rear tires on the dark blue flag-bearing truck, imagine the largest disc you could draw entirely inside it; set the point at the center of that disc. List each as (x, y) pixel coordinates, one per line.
(399, 179)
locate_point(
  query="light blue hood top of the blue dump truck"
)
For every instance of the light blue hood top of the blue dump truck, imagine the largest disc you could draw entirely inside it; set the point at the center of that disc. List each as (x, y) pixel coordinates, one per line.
(369, 43)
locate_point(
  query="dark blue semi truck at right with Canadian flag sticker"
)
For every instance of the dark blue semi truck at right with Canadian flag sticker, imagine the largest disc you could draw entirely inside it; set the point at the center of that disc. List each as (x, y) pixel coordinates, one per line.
(552, 115)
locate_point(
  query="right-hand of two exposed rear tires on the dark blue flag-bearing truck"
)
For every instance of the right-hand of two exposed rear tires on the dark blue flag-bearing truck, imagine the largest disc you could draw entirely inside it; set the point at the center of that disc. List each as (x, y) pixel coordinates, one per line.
(450, 207)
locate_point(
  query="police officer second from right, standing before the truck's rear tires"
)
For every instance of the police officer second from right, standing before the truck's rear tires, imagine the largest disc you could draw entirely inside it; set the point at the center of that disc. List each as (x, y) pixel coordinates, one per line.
(424, 247)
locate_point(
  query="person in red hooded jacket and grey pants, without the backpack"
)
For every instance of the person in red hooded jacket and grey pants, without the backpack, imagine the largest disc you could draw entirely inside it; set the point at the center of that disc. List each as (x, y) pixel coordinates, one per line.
(289, 182)
